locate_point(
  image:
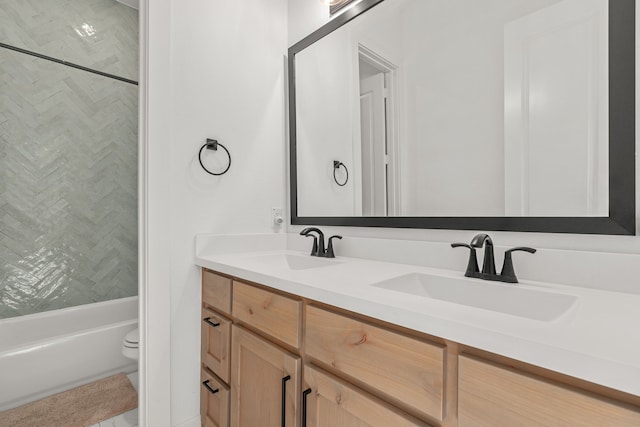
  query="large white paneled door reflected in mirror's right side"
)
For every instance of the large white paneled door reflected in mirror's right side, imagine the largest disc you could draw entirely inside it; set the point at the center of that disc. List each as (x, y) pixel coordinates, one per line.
(556, 111)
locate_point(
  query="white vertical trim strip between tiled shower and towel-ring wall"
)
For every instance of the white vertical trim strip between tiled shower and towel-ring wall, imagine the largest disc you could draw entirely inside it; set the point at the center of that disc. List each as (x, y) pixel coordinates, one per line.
(154, 213)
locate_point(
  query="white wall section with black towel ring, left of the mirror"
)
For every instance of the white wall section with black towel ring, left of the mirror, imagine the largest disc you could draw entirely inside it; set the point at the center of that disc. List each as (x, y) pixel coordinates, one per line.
(227, 83)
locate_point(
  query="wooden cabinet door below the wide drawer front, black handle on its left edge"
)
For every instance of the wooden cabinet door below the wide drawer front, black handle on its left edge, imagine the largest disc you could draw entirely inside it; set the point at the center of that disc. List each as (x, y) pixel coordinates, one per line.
(330, 402)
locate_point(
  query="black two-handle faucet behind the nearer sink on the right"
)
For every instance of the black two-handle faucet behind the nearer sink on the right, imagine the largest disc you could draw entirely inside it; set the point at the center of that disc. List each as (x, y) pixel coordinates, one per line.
(489, 265)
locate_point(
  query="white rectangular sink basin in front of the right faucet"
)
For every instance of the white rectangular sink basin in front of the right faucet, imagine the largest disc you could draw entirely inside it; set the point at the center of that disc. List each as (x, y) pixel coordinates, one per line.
(503, 298)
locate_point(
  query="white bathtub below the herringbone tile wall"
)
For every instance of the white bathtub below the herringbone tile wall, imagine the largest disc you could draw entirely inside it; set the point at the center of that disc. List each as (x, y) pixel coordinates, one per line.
(45, 353)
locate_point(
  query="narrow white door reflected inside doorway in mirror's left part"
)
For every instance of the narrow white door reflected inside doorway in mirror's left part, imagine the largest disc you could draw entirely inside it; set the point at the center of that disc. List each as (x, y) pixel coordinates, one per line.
(374, 147)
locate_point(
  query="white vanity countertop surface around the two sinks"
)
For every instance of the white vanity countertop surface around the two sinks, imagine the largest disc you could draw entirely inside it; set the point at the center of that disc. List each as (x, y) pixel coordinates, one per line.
(597, 340)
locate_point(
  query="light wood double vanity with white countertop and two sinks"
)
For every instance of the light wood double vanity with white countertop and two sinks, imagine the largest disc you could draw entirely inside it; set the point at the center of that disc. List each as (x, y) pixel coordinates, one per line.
(297, 340)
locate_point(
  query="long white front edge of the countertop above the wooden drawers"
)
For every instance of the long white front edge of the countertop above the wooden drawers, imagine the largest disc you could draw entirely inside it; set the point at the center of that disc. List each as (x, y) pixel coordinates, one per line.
(587, 367)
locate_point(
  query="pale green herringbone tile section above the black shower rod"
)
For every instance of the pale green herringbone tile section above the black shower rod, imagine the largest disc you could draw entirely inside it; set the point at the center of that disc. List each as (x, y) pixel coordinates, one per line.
(99, 34)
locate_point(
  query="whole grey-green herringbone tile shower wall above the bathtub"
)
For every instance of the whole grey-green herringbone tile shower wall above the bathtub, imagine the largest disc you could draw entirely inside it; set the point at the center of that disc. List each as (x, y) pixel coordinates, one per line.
(68, 156)
